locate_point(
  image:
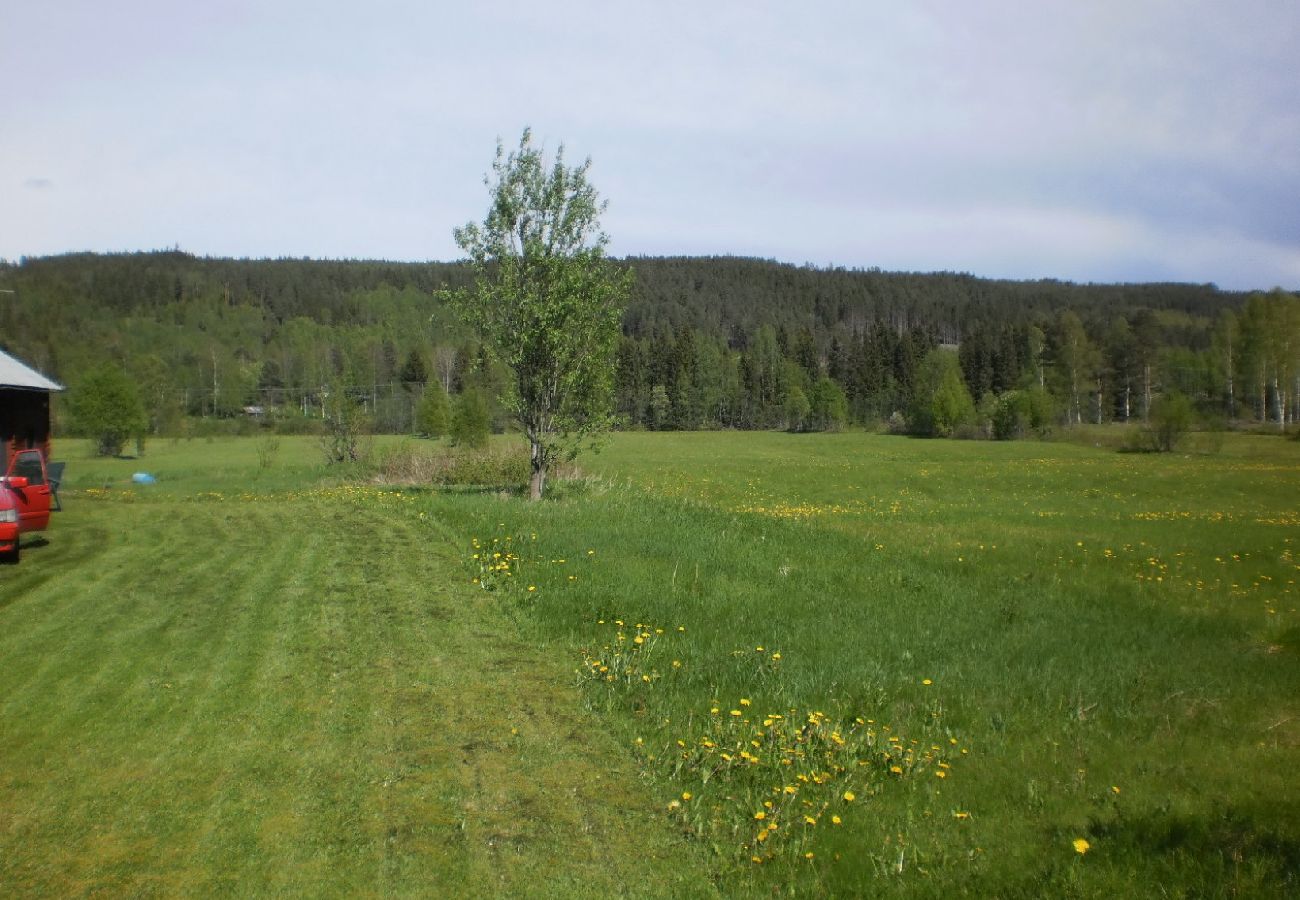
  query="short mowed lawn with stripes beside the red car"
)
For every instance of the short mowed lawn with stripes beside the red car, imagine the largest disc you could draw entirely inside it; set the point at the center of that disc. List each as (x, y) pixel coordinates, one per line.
(207, 693)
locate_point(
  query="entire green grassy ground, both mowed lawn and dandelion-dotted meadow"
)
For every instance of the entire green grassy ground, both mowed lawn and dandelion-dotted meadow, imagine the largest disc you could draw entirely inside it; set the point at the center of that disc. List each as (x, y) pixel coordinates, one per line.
(977, 660)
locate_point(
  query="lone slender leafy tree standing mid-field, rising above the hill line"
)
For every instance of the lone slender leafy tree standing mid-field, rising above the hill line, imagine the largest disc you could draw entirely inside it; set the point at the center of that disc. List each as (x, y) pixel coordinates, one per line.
(547, 301)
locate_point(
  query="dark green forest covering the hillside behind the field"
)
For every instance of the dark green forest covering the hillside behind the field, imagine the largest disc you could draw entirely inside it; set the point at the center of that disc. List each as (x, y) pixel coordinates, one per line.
(708, 343)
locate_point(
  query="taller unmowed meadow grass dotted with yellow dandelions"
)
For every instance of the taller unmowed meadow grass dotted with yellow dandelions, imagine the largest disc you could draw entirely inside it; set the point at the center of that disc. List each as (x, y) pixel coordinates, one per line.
(1098, 633)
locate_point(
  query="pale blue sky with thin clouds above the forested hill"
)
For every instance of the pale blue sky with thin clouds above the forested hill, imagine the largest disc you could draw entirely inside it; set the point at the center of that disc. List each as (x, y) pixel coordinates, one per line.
(1099, 141)
